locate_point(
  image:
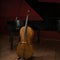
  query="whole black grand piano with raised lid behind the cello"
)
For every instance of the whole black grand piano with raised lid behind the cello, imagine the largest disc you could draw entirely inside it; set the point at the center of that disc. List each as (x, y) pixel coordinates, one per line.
(50, 12)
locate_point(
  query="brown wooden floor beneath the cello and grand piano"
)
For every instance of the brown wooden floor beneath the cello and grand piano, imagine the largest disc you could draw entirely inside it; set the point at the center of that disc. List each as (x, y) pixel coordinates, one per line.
(45, 50)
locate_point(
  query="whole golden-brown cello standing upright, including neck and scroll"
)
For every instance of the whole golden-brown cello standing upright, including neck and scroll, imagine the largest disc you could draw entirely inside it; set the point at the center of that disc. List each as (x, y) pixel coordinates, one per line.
(25, 48)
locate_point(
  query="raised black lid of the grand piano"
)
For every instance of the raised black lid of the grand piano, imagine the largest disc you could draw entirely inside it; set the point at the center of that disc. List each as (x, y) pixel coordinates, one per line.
(47, 10)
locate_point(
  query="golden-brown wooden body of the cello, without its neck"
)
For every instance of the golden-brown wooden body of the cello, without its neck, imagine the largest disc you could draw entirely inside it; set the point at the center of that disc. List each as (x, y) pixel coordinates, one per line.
(25, 48)
